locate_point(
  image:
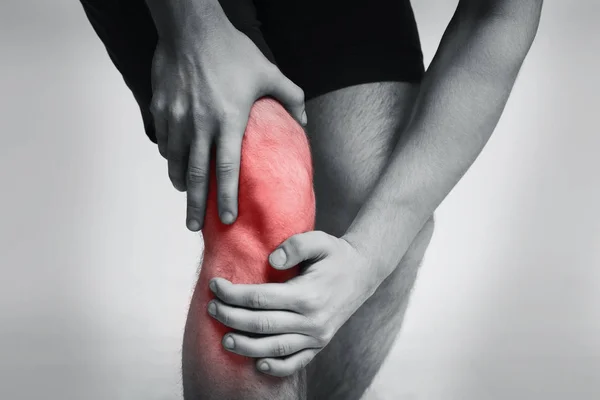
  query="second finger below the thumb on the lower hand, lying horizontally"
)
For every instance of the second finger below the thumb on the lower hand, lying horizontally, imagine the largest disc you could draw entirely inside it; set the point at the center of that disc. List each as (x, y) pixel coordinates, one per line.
(260, 322)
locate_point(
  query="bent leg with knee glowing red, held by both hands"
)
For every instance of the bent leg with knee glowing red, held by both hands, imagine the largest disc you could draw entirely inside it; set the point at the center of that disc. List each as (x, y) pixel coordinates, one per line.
(276, 201)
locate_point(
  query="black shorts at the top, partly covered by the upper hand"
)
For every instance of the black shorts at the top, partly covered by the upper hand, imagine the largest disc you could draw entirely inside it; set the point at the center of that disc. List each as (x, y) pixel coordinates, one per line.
(321, 45)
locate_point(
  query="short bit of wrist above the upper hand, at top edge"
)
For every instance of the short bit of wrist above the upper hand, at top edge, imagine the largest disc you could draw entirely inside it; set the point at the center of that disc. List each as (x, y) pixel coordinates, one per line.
(174, 18)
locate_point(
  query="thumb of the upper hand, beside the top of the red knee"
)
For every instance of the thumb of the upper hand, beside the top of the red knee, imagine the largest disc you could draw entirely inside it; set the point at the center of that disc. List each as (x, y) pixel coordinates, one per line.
(290, 95)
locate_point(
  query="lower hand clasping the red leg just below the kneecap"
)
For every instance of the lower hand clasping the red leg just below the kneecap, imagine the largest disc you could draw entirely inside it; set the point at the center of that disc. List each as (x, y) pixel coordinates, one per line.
(297, 318)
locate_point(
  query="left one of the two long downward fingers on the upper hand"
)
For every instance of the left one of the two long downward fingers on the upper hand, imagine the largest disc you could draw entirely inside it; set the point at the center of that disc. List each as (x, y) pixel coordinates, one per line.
(197, 181)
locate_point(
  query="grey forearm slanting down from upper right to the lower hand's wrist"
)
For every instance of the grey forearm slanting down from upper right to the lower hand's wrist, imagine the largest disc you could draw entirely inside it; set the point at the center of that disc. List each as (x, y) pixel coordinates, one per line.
(461, 100)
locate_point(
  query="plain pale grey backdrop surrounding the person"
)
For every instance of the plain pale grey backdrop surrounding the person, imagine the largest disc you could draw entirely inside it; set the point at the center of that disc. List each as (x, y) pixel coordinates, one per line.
(98, 268)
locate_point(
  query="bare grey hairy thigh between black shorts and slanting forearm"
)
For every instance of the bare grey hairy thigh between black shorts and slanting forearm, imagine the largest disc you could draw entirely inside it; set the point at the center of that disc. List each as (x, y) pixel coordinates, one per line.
(352, 133)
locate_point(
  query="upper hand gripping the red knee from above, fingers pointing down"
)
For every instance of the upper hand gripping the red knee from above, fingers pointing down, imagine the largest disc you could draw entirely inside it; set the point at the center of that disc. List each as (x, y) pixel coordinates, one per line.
(204, 85)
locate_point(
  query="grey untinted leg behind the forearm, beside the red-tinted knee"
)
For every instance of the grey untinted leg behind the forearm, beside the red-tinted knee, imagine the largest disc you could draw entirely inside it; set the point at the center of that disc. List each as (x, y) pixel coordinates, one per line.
(352, 133)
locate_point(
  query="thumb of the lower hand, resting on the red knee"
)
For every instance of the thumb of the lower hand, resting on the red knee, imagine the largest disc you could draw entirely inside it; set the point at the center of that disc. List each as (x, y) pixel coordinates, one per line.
(313, 245)
